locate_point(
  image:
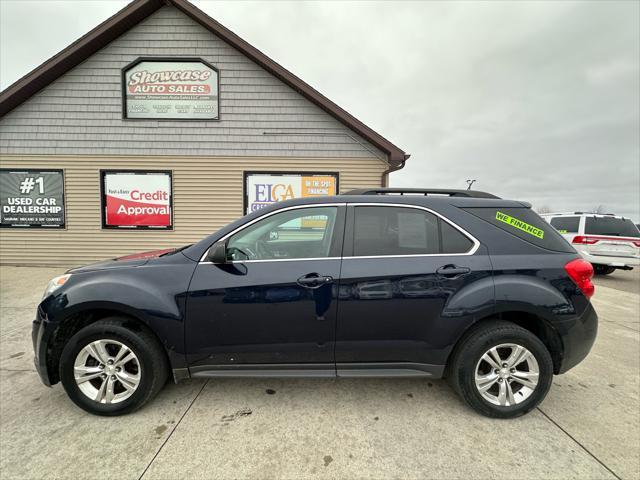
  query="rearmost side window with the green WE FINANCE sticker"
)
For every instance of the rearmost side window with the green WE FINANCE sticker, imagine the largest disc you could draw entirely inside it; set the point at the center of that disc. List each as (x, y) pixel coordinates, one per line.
(524, 223)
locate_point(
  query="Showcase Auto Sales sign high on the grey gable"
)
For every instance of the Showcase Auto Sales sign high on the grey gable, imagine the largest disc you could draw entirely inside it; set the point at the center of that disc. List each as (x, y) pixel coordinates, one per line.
(166, 90)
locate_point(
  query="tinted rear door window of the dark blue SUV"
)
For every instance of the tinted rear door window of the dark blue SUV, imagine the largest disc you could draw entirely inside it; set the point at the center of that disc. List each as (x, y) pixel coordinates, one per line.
(383, 231)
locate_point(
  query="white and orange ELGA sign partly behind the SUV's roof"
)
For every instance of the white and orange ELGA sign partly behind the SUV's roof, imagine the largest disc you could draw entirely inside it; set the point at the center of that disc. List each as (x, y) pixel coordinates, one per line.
(262, 189)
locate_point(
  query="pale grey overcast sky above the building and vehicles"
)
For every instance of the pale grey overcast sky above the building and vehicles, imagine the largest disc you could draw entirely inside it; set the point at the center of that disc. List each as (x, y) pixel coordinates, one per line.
(538, 101)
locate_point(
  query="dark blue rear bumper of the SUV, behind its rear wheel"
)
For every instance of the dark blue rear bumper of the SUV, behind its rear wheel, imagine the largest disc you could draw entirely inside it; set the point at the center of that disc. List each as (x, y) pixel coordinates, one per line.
(578, 336)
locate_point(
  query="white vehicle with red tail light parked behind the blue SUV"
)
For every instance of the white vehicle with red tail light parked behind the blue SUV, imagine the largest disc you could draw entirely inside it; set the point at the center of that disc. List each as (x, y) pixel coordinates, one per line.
(607, 241)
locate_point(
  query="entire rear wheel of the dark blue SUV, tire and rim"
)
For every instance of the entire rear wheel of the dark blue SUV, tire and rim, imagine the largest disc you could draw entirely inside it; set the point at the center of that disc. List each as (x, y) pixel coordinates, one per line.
(501, 370)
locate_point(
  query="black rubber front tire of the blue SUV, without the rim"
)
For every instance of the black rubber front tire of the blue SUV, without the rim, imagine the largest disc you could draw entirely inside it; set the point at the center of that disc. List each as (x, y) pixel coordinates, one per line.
(152, 358)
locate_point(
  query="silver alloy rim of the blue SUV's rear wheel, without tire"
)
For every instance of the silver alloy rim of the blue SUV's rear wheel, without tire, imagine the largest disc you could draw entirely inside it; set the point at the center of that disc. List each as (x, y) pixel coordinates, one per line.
(507, 374)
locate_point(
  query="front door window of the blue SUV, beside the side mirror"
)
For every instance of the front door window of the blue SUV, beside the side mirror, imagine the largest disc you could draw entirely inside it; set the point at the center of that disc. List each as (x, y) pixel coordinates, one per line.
(299, 233)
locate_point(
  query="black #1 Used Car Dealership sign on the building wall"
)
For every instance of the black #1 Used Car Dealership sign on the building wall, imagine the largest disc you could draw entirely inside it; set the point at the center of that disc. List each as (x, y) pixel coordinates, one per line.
(31, 198)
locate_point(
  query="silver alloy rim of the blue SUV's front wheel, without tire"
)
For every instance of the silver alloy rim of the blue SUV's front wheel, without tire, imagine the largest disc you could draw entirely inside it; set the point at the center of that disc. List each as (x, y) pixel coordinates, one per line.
(107, 371)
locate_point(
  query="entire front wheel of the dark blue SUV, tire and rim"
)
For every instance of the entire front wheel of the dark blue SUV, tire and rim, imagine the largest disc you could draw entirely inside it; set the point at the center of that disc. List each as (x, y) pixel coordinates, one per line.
(109, 369)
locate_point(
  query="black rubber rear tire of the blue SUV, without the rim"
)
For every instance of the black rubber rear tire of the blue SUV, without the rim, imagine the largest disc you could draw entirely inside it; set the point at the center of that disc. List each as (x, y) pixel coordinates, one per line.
(467, 355)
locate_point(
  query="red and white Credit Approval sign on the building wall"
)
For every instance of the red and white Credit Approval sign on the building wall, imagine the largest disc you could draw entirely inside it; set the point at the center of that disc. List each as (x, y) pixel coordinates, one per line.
(136, 199)
